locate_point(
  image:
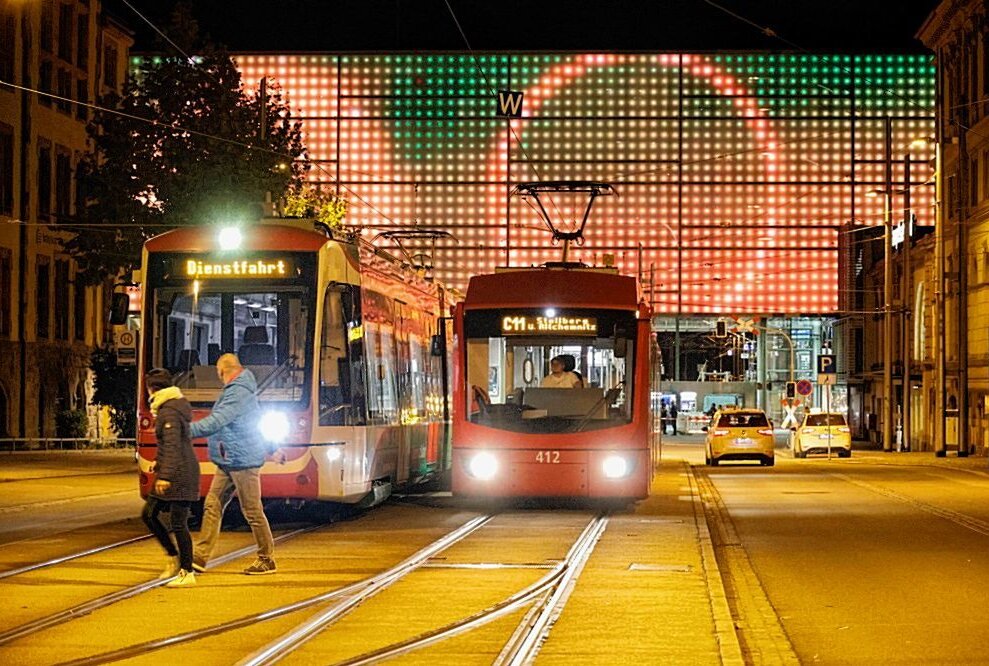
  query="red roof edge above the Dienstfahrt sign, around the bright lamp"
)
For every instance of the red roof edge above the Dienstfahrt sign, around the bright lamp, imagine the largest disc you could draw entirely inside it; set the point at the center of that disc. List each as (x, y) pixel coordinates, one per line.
(255, 237)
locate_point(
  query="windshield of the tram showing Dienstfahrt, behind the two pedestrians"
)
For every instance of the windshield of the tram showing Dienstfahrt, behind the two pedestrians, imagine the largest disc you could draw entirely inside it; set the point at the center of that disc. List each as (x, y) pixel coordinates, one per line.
(268, 329)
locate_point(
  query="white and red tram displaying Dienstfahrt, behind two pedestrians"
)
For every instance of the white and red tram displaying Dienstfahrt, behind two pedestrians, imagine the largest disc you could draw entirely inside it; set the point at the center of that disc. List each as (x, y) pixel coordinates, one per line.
(338, 335)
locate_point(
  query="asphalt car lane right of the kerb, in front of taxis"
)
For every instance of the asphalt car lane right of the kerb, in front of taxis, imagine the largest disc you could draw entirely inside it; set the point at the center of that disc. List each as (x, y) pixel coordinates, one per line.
(878, 559)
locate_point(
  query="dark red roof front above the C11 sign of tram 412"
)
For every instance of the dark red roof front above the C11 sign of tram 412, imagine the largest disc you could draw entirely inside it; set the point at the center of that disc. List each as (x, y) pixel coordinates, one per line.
(541, 287)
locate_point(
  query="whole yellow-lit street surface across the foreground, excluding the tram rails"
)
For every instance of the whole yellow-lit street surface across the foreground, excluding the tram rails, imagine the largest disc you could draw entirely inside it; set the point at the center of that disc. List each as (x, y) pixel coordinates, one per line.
(876, 559)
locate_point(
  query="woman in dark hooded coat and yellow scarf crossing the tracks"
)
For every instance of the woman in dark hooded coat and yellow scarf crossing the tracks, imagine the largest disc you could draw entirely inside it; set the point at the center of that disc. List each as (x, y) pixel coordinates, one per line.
(177, 483)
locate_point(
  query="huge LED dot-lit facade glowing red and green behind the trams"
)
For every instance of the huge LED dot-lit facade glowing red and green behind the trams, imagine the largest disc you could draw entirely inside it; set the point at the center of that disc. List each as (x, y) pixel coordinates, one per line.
(735, 170)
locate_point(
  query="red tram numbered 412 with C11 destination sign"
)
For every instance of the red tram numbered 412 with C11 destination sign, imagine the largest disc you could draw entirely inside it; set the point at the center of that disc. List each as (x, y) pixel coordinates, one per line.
(516, 437)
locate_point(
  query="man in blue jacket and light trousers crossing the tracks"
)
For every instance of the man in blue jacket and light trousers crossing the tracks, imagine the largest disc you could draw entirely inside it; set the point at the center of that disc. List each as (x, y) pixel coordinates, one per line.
(238, 451)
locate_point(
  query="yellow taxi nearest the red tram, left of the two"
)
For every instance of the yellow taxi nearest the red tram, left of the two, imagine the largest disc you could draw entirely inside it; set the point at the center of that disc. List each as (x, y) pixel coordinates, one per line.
(740, 434)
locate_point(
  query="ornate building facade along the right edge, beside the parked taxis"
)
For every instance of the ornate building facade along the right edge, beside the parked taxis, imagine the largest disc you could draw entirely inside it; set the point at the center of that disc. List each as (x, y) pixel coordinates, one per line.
(941, 305)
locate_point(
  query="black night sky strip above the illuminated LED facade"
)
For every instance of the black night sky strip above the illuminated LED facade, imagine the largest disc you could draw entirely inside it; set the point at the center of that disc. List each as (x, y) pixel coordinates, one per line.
(531, 25)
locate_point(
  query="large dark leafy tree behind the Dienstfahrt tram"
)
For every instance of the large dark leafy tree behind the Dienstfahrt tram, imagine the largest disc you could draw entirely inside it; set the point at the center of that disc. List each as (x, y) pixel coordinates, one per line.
(203, 160)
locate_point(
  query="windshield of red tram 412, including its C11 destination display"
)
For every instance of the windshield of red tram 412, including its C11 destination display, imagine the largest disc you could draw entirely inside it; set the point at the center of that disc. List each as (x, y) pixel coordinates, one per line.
(550, 372)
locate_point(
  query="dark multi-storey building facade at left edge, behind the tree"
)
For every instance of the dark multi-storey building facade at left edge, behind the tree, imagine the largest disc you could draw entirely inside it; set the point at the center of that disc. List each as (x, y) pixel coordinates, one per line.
(49, 323)
